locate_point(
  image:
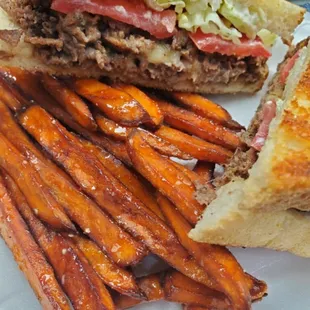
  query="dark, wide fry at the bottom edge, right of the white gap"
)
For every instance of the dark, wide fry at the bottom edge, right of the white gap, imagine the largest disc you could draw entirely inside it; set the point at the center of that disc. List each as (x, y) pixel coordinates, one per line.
(181, 289)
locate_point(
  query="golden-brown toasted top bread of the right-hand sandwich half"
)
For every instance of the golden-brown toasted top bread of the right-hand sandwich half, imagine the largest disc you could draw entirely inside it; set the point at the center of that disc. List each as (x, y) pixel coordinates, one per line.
(282, 171)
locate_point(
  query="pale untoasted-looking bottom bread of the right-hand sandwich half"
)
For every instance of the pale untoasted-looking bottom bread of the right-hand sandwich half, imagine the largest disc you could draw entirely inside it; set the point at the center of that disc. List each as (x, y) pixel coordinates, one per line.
(226, 223)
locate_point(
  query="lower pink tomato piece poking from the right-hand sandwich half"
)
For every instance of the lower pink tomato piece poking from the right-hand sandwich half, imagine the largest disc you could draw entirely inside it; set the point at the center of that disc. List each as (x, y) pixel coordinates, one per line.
(269, 113)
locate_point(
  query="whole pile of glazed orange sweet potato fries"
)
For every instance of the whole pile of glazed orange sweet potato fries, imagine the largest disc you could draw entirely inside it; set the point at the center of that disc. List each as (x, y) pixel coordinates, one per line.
(88, 189)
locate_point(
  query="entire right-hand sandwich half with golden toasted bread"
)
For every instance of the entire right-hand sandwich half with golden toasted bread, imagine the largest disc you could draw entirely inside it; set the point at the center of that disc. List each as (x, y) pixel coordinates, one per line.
(263, 199)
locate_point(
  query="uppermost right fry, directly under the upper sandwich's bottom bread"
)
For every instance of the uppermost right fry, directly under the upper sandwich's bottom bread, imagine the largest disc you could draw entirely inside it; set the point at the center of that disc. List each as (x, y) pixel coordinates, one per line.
(207, 108)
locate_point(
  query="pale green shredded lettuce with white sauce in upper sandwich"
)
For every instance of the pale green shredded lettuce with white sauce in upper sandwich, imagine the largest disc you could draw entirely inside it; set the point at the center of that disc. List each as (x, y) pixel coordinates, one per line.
(226, 18)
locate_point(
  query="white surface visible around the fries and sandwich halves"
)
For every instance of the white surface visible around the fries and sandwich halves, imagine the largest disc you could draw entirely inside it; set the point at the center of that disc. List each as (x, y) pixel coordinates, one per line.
(288, 276)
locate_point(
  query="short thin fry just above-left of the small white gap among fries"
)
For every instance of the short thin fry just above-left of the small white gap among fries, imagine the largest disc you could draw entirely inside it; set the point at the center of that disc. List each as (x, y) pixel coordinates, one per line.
(163, 147)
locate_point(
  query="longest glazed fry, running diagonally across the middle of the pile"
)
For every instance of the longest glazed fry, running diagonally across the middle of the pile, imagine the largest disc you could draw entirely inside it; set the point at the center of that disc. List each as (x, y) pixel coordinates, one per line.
(128, 211)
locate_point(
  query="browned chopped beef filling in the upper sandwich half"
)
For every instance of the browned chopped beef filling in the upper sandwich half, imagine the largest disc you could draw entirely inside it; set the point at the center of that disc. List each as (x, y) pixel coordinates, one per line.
(100, 44)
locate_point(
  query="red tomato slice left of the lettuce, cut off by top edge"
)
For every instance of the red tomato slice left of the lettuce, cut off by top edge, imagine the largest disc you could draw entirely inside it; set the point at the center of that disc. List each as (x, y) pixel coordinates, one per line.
(133, 12)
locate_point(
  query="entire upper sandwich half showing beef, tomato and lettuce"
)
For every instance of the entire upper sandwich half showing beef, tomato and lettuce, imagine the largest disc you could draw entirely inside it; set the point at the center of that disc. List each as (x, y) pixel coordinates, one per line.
(206, 46)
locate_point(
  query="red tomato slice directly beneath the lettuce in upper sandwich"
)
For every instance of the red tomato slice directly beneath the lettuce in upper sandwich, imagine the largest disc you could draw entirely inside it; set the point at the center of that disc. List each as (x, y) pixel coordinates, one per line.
(211, 43)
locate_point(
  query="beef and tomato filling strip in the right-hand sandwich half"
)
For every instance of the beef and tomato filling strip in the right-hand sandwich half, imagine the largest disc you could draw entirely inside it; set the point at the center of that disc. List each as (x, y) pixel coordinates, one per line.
(256, 135)
